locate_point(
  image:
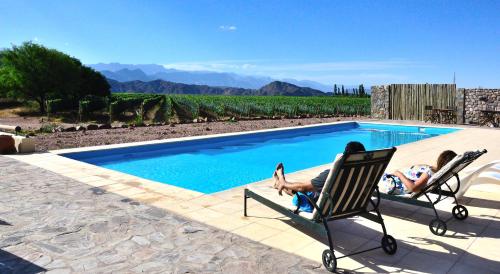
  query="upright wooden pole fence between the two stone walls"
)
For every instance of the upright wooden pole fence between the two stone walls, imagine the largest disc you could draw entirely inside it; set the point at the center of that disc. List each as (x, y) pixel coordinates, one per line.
(408, 101)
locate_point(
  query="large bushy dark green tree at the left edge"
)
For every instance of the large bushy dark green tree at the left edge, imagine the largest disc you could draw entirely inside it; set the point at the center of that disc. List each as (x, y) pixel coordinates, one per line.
(37, 73)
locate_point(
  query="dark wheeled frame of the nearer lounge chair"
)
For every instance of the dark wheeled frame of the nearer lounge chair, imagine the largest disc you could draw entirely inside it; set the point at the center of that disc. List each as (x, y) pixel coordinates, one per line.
(319, 225)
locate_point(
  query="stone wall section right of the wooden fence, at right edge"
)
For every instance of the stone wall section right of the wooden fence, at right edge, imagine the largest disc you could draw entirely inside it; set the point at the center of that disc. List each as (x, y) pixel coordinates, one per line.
(477, 100)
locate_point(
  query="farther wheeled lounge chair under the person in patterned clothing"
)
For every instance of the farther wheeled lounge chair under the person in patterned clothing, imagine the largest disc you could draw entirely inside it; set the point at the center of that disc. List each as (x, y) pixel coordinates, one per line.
(434, 191)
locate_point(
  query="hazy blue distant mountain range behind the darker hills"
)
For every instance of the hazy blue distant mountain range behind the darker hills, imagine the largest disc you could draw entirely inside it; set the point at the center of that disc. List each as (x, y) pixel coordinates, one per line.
(151, 72)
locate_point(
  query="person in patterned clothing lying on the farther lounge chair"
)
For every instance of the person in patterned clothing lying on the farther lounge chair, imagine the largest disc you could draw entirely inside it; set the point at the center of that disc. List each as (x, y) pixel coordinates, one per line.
(414, 178)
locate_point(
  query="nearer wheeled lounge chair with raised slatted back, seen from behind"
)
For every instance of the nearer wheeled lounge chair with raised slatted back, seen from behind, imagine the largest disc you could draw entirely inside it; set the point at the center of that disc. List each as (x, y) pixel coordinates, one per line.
(346, 193)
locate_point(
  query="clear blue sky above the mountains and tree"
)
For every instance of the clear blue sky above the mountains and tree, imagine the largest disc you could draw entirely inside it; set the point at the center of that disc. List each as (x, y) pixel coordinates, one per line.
(347, 42)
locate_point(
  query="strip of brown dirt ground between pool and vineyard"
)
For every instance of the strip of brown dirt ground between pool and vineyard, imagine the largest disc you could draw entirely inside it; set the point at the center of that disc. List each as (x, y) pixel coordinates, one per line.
(60, 140)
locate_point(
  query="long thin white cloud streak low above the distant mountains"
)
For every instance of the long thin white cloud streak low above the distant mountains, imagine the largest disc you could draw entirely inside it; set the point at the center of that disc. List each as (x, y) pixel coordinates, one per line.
(347, 72)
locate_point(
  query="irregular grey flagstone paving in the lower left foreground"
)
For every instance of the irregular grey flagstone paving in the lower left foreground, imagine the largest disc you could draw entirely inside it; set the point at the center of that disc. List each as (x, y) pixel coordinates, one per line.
(50, 223)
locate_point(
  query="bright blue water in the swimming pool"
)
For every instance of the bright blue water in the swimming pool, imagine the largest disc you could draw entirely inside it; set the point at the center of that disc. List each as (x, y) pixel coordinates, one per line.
(214, 164)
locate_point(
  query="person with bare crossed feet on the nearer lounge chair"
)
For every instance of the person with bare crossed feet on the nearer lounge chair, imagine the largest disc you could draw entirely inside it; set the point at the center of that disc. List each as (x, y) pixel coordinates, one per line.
(314, 186)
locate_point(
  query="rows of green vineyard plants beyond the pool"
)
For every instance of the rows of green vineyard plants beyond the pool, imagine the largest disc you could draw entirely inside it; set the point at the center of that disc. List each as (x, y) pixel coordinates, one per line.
(221, 106)
